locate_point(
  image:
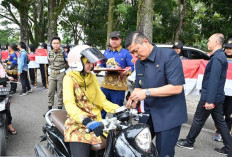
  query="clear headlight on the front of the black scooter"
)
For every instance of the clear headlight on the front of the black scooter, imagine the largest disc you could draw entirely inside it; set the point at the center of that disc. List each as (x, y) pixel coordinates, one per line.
(143, 140)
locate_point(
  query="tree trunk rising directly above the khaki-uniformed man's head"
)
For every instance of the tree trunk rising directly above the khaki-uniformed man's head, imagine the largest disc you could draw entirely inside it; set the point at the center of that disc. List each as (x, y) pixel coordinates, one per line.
(52, 20)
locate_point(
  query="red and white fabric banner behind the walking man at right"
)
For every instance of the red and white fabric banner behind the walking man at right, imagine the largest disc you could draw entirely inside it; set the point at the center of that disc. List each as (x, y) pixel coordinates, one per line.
(194, 72)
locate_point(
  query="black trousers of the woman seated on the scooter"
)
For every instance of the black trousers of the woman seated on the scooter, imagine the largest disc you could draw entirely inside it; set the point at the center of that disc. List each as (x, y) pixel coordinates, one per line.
(80, 149)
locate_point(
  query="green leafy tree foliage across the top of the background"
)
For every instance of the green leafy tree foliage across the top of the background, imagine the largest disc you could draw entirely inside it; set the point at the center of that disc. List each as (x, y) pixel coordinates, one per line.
(86, 20)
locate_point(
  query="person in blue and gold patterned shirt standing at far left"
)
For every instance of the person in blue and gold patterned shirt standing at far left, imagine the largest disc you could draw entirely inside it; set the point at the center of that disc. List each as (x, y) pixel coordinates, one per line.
(12, 64)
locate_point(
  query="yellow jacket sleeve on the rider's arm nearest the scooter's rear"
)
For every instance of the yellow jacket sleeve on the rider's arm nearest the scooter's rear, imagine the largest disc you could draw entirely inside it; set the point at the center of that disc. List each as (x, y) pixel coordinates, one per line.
(69, 101)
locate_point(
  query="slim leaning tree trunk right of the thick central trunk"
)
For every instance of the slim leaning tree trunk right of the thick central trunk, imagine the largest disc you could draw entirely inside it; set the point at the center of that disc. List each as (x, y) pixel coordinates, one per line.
(182, 13)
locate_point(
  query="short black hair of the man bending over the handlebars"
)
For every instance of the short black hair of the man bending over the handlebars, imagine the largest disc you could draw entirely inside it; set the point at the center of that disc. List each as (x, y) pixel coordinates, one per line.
(135, 37)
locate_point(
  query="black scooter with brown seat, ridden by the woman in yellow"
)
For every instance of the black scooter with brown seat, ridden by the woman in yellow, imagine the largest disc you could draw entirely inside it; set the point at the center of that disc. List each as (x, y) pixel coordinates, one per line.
(124, 138)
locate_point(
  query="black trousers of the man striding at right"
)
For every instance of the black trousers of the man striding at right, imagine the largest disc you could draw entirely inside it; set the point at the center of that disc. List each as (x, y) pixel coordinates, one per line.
(200, 117)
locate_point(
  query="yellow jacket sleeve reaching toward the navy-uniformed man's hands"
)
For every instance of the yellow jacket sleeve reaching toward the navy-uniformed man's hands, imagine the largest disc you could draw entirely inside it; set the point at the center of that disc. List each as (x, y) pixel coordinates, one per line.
(105, 104)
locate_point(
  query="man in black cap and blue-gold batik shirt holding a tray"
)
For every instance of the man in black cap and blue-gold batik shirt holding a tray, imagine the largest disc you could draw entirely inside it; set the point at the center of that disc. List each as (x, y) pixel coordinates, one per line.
(114, 84)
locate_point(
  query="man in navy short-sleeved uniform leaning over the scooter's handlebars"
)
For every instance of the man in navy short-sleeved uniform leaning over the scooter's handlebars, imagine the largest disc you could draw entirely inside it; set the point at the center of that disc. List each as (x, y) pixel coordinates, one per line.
(159, 82)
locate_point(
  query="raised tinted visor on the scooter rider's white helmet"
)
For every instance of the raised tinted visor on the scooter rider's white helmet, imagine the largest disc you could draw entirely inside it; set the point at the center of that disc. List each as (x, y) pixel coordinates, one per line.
(93, 55)
